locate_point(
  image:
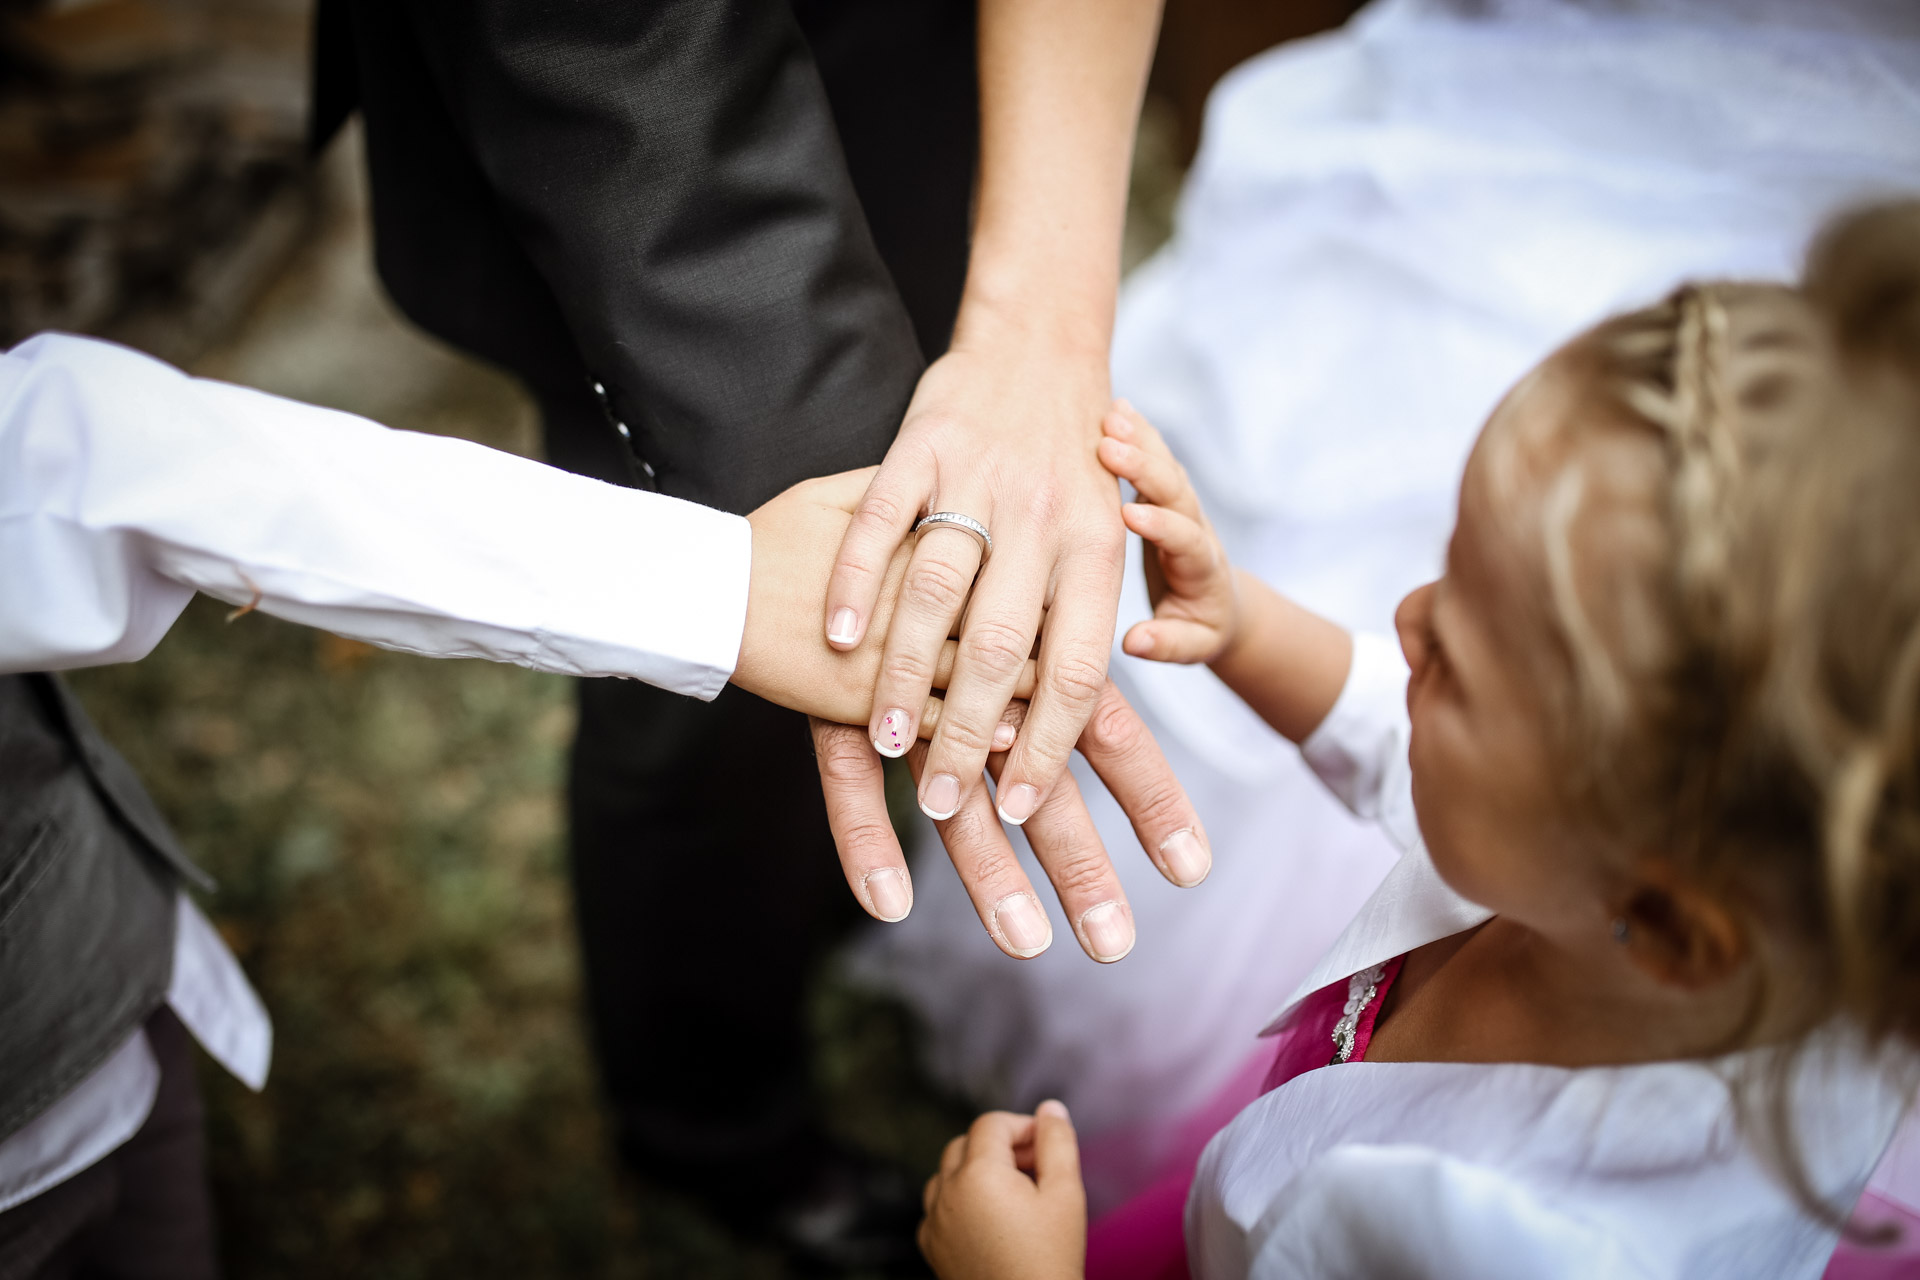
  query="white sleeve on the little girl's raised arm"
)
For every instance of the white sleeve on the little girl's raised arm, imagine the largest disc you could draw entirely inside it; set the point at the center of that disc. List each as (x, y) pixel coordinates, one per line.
(1360, 751)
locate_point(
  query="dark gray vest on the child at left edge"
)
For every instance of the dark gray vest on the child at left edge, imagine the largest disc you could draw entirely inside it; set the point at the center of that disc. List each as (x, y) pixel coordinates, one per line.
(87, 899)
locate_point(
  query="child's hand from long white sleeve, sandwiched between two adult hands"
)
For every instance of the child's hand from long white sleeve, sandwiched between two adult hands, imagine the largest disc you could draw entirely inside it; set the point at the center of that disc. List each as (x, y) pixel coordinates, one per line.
(780, 653)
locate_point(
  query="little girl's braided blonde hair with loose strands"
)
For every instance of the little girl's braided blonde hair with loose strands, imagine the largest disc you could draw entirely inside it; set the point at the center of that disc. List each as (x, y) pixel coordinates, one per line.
(1744, 690)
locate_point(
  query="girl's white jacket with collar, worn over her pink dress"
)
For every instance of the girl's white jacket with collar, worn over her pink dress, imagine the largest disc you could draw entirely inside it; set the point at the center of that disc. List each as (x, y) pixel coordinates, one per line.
(1506, 1170)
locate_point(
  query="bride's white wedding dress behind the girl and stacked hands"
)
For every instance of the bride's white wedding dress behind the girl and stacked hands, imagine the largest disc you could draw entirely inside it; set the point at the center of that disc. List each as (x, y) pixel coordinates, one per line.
(1385, 229)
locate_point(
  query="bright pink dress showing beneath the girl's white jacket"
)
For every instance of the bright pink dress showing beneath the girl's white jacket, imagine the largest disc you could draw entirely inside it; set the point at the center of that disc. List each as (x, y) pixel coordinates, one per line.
(1145, 1237)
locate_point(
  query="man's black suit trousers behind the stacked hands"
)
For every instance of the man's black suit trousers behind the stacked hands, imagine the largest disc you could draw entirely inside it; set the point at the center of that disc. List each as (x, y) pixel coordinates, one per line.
(708, 886)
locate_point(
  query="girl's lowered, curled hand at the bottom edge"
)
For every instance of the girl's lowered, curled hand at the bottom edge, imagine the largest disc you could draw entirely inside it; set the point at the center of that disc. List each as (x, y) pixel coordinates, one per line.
(988, 1220)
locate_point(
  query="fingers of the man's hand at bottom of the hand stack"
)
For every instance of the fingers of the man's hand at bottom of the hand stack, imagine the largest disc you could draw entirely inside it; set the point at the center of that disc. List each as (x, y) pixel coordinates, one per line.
(1118, 747)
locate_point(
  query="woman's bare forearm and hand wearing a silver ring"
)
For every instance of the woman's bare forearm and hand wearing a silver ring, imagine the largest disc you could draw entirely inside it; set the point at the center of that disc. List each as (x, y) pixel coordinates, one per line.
(1003, 429)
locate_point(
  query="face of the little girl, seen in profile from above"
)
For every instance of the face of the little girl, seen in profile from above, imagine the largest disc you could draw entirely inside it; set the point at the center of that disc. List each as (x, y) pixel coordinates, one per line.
(1483, 782)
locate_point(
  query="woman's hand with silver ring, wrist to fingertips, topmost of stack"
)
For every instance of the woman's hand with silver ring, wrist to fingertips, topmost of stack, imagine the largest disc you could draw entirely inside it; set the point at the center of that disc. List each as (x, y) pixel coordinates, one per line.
(1003, 429)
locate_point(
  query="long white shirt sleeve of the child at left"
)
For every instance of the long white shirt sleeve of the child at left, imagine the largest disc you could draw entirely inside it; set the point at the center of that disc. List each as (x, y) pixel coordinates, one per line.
(126, 486)
